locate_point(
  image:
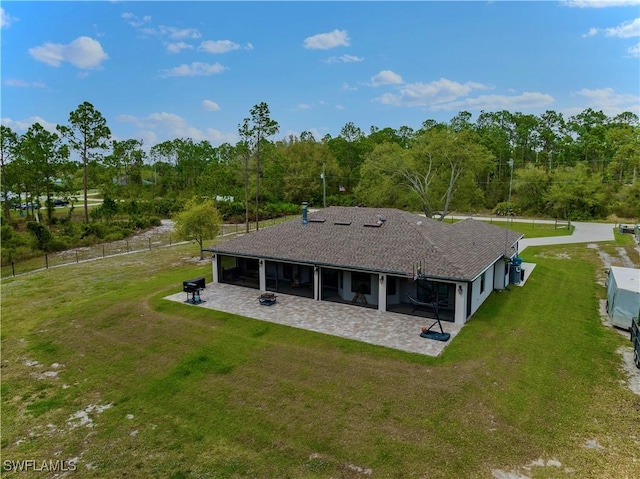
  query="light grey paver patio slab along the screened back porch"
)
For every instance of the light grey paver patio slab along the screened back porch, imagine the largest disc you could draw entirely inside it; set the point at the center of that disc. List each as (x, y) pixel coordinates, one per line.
(391, 330)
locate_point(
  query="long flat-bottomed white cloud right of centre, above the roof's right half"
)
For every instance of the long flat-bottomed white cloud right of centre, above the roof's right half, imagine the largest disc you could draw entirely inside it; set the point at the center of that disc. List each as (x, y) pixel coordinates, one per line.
(429, 94)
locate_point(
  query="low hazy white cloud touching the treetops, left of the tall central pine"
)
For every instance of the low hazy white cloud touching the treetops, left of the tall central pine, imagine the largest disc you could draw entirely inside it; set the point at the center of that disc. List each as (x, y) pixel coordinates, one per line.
(163, 125)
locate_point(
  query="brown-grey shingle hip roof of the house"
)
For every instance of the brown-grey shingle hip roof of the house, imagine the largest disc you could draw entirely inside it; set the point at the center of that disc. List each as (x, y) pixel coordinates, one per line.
(337, 236)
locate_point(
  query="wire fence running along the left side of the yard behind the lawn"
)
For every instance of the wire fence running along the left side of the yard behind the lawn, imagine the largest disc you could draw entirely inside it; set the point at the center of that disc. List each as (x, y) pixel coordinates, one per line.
(154, 238)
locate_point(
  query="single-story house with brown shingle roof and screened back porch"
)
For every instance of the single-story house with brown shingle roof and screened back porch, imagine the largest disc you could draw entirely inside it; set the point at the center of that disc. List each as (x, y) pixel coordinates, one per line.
(379, 258)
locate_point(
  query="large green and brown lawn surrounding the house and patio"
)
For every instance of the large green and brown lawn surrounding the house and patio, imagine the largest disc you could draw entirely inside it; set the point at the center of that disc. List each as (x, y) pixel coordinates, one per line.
(98, 367)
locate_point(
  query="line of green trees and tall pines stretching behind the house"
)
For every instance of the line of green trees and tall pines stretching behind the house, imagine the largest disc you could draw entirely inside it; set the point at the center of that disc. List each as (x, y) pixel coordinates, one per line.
(581, 167)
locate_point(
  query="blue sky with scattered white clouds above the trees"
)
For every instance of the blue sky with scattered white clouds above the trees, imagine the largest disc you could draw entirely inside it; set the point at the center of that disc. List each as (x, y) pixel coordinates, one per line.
(164, 70)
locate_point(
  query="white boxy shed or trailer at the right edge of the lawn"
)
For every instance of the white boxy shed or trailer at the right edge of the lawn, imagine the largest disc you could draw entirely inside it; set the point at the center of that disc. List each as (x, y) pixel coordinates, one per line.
(623, 295)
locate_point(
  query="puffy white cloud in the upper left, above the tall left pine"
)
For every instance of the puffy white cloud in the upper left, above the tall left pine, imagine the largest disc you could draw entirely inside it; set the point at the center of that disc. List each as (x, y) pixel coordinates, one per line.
(83, 52)
